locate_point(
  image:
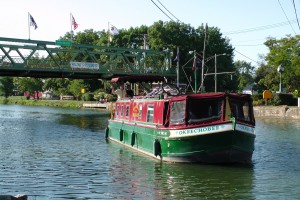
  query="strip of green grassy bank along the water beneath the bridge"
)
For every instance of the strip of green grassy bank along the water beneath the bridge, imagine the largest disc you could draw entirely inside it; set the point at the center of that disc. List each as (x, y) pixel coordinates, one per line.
(21, 100)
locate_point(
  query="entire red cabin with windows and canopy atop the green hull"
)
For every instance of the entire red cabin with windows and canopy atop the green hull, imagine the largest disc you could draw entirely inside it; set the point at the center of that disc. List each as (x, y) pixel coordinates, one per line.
(186, 110)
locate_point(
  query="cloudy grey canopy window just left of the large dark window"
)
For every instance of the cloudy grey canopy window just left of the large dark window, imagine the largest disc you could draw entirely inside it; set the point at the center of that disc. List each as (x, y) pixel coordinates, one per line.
(177, 112)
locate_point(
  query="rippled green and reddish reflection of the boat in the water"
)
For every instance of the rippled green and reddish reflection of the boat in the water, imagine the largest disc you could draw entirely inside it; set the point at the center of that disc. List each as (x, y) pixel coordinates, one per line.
(145, 178)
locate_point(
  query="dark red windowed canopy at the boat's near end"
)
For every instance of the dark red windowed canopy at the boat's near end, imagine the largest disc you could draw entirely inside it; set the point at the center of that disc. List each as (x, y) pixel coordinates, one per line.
(210, 108)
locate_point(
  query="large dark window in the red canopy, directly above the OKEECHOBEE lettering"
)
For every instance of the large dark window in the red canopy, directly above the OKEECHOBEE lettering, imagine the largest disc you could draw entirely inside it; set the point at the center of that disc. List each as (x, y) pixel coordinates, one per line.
(201, 110)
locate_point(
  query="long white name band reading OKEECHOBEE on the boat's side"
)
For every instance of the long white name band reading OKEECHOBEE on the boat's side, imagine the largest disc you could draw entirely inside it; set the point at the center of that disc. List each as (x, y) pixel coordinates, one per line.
(201, 130)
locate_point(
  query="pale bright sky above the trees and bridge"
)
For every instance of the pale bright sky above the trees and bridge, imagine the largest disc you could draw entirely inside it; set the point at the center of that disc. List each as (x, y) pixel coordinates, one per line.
(246, 23)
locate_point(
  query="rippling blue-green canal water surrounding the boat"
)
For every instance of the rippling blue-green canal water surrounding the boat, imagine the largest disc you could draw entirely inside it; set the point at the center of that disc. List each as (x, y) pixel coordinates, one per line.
(53, 153)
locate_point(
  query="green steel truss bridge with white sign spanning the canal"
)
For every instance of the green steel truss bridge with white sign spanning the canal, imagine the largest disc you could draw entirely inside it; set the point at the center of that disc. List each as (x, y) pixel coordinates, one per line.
(65, 59)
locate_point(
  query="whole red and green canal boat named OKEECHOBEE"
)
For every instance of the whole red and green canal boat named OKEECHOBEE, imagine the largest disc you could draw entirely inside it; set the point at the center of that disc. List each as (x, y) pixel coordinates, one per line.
(175, 127)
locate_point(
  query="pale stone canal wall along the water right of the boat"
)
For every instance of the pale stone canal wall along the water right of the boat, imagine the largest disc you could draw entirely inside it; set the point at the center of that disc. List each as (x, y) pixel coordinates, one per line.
(277, 111)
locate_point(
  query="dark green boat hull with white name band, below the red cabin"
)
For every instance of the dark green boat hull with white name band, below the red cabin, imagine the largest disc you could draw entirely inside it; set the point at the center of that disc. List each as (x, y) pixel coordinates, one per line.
(221, 144)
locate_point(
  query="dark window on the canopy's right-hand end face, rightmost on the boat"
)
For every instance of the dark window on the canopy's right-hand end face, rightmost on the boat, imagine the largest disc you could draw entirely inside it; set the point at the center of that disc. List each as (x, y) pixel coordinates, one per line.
(241, 110)
